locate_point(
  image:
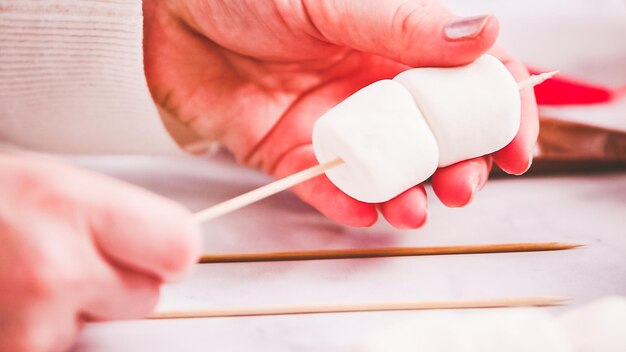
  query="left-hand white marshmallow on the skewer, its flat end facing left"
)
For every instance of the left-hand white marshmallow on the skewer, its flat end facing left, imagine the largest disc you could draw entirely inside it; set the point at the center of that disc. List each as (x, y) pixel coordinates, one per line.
(383, 140)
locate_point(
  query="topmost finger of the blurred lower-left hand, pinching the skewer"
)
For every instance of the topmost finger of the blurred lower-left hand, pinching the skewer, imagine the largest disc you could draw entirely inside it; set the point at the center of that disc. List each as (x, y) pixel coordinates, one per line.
(131, 226)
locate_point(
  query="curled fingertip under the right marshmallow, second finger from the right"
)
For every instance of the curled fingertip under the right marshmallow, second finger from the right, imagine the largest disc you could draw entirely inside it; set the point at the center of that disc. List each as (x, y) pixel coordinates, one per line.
(457, 184)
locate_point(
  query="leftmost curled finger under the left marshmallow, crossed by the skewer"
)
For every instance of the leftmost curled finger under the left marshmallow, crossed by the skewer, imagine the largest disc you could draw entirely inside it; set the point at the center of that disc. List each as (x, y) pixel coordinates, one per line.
(322, 194)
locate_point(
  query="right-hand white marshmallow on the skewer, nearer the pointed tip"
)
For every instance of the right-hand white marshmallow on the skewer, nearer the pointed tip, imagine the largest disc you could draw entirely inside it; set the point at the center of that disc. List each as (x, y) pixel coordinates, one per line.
(472, 110)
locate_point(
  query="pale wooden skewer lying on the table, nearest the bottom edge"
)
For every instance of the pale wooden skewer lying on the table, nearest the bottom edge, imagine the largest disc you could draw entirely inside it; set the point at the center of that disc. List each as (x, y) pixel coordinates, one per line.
(362, 307)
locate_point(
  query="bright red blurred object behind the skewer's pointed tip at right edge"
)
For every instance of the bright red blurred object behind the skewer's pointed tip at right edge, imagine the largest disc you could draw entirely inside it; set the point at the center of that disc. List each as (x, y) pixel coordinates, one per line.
(562, 90)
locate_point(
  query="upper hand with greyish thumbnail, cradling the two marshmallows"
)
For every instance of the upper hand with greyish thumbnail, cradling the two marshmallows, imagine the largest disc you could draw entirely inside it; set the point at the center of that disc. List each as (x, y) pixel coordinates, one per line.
(255, 75)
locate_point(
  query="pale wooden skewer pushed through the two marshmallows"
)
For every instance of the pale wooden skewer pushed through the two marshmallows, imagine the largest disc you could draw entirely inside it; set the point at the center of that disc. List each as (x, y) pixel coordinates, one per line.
(292, 180)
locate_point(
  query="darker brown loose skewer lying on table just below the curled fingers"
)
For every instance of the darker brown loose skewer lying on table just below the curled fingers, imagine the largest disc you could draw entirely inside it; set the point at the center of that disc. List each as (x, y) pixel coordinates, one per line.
(385, 252)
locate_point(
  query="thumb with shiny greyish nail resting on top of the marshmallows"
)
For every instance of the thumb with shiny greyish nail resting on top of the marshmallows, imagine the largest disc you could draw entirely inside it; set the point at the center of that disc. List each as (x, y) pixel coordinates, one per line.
(414, 33)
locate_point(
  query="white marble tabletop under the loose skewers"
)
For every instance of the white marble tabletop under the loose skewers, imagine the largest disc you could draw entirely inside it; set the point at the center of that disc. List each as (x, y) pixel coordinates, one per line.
(588, 208)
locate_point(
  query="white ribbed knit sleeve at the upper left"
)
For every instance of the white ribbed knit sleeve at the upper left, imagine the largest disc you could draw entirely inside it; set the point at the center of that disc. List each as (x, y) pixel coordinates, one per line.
(72, 79)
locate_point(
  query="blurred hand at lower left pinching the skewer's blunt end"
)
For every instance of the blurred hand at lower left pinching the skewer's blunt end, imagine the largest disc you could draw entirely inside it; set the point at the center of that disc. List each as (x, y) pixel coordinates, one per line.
(77, 247)
